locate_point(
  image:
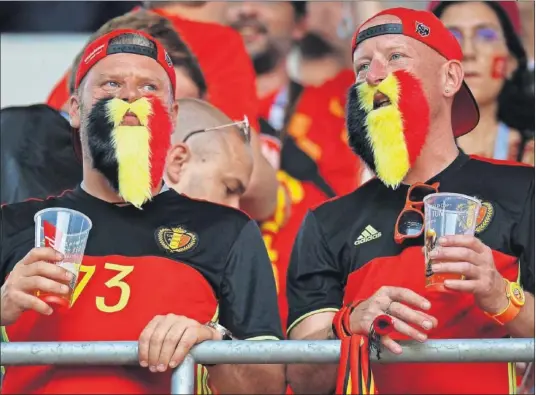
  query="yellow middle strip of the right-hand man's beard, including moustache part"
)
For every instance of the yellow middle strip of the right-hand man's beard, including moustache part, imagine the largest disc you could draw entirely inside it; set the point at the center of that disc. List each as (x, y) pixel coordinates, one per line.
(385, 132)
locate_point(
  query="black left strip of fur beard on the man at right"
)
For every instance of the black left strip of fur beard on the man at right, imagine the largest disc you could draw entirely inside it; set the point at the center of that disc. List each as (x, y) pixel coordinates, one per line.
(357, 132)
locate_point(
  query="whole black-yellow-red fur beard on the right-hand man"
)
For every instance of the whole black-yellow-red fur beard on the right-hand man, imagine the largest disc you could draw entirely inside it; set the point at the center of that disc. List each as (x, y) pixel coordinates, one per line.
(387, 125)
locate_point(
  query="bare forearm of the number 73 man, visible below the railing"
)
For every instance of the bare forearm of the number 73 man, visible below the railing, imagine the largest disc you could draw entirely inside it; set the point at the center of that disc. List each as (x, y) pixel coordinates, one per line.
(248, 379)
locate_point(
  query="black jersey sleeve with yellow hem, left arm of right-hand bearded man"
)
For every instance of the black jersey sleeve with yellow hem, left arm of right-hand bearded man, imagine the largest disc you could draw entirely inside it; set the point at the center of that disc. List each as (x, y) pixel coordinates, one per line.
(314, 277)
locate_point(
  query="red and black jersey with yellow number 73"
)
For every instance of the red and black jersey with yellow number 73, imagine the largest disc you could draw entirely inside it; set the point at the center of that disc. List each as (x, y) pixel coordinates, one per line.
(177, 255)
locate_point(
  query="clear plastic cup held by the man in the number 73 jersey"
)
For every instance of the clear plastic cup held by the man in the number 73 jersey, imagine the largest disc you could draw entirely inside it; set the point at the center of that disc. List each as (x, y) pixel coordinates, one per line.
(66, 231)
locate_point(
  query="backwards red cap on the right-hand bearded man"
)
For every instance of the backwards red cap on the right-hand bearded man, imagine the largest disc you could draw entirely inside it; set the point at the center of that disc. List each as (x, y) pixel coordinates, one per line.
(425, 27)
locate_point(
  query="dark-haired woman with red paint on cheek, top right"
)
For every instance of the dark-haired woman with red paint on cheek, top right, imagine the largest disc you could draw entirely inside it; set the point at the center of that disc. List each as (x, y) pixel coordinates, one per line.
(495, 65)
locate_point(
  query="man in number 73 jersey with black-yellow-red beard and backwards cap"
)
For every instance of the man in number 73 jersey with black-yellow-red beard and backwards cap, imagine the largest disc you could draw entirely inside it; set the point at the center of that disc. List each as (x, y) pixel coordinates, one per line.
(159, 267)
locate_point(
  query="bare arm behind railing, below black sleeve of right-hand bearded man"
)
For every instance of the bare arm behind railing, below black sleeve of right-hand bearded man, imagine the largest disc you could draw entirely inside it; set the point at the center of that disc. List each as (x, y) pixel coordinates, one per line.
(314, 378)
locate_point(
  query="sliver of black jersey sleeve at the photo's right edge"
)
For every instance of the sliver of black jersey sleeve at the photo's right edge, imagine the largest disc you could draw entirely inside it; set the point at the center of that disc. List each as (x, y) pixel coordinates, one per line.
(523, 241)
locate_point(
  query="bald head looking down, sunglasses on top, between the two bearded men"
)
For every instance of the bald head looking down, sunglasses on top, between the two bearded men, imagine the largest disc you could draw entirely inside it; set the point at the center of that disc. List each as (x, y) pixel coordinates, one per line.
(213, 165)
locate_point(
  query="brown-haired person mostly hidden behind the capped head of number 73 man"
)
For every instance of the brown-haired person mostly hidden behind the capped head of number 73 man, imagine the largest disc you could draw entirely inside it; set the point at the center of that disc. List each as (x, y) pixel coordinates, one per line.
(190, 79)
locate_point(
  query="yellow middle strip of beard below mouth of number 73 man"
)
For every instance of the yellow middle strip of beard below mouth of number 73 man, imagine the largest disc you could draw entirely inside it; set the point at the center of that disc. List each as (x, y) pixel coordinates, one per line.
(131, 145)
